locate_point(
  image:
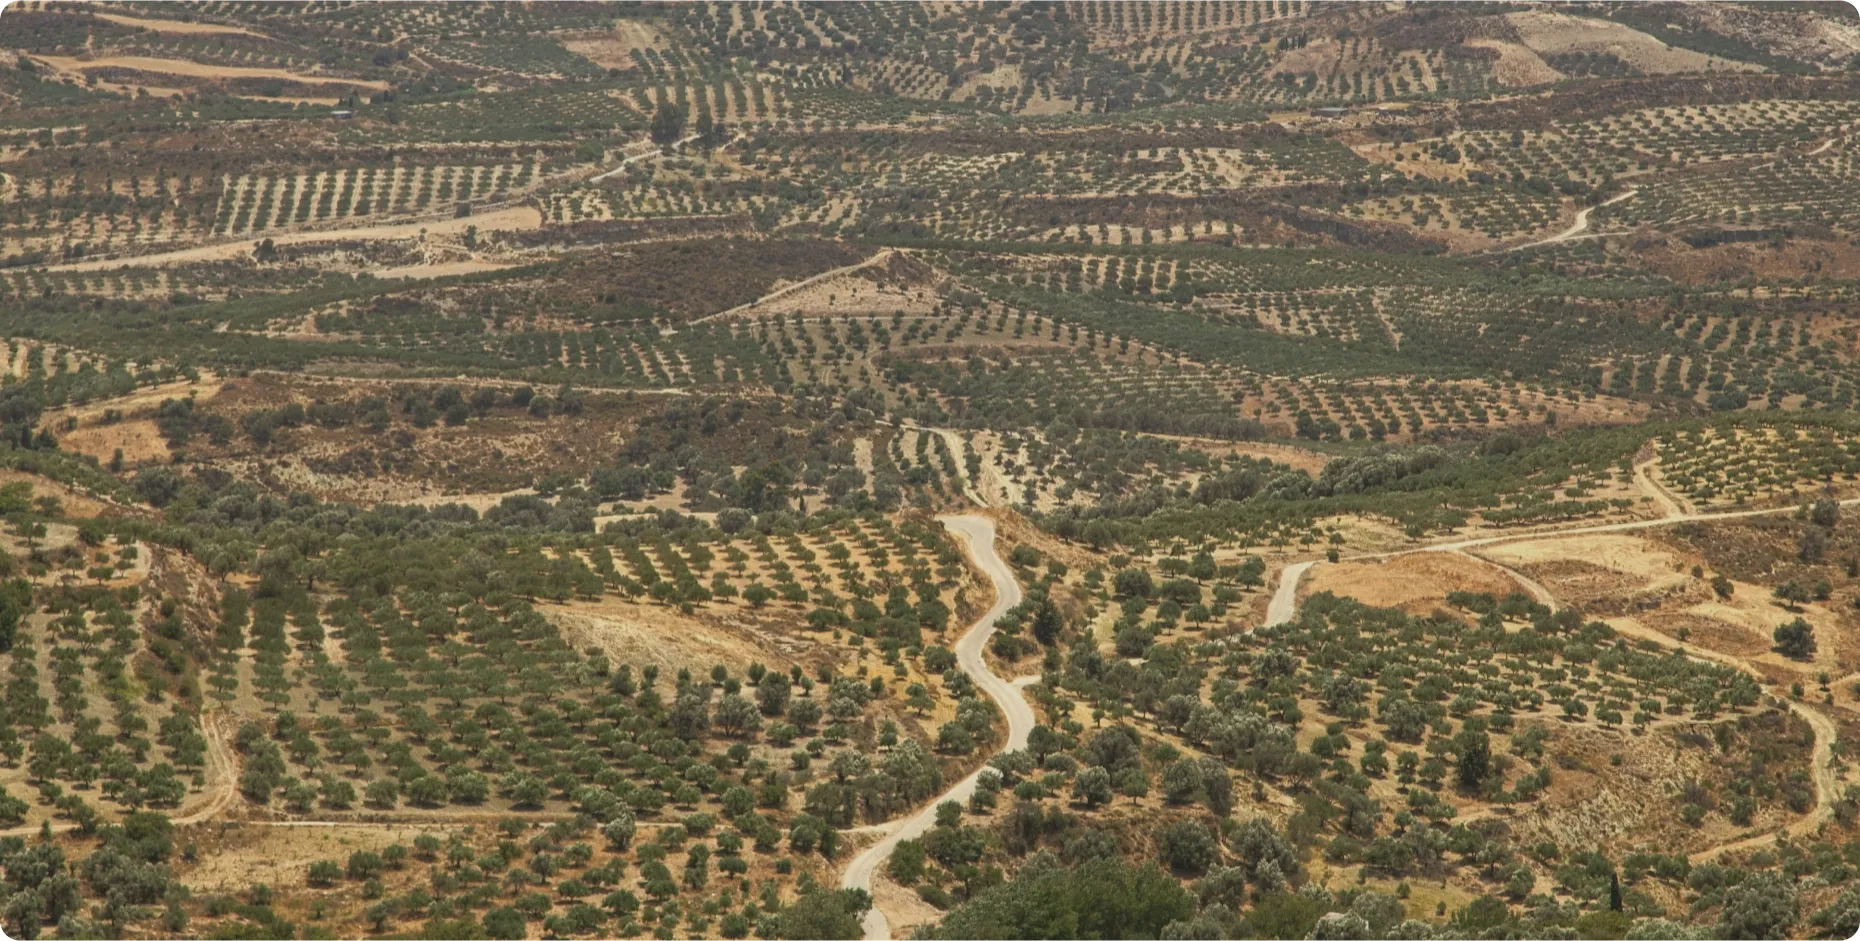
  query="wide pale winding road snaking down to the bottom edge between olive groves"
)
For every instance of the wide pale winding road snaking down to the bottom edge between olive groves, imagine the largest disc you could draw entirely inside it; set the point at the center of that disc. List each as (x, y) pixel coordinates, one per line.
(981, 537)
